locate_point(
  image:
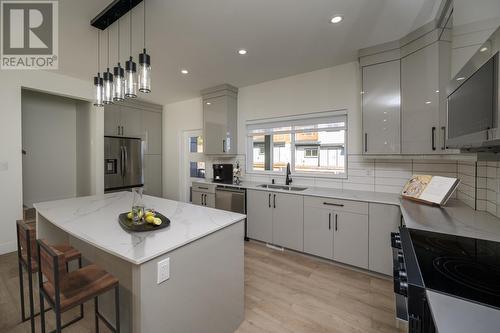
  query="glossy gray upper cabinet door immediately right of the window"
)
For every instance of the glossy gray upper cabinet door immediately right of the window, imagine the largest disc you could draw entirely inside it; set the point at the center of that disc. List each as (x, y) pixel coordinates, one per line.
(381, 108)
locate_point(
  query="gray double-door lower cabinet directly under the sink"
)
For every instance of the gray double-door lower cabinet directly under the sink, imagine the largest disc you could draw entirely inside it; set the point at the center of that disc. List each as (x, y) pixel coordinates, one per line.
(276, 218)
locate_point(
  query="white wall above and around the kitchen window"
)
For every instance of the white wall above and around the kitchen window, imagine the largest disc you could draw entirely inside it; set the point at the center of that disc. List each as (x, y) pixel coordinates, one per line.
(326, 89)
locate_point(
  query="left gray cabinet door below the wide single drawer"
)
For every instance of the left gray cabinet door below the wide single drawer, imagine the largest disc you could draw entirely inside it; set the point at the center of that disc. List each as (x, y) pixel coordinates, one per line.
(318, 231)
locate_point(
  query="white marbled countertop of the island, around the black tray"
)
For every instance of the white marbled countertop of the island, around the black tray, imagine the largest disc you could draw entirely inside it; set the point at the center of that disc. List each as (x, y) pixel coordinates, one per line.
(94, 220)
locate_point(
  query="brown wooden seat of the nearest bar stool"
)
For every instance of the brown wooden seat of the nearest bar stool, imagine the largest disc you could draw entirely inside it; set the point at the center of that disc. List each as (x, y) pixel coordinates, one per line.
(82, 285)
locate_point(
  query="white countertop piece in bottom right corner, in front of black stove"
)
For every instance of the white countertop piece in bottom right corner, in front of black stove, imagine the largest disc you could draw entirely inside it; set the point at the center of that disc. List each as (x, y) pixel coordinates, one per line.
(454, 315)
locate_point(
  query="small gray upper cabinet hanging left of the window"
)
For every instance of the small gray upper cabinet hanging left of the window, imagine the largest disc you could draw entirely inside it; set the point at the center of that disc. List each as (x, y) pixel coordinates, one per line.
(220, 120)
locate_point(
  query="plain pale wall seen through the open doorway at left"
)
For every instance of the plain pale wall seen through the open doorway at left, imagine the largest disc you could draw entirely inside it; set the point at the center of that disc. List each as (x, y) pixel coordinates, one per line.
(49, 139)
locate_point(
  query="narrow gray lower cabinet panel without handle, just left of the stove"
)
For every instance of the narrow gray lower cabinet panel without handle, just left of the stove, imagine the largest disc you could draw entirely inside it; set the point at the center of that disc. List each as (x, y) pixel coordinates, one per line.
(384, 219)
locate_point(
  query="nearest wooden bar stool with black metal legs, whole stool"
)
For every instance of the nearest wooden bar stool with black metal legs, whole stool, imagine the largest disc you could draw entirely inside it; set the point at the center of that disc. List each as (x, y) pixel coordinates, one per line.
(63, 290)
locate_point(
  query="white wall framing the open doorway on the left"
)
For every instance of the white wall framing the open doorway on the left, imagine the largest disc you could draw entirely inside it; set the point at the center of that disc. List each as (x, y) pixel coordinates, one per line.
(11, 195)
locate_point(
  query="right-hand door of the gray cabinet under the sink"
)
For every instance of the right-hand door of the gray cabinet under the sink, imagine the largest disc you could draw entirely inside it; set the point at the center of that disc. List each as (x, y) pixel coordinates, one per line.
(288, 221)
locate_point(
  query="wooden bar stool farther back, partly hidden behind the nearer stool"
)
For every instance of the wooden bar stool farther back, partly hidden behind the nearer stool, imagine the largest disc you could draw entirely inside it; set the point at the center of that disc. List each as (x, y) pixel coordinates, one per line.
(27, 261)
